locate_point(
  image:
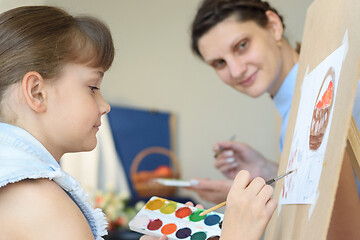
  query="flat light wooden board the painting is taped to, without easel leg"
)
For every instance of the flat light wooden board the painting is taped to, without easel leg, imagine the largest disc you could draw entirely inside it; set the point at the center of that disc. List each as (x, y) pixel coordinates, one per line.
(327, 21)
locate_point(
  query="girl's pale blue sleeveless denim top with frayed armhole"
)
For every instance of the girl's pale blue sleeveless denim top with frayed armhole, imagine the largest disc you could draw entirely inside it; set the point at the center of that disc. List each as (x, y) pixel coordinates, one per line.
(24, 157)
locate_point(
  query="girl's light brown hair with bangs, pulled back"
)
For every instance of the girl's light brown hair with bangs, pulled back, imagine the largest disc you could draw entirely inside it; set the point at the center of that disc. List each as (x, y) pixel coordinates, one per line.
(44, 39)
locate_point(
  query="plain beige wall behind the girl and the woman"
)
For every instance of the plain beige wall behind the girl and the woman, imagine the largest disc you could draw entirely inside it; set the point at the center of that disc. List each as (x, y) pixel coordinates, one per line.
(154, 68)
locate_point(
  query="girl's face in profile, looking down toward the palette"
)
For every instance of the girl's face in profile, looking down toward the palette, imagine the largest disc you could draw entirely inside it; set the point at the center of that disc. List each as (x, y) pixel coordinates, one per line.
(75, 106)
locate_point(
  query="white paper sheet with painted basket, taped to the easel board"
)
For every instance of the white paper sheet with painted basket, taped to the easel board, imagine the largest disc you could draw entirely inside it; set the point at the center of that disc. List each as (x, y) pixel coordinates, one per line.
(306, 157)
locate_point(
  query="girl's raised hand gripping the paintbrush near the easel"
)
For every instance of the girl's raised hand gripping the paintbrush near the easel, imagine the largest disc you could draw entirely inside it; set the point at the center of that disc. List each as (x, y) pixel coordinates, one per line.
(252, 201)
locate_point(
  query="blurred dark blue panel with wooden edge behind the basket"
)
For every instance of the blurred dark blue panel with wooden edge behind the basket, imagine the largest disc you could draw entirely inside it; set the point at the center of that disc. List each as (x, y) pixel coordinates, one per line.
(139, 134)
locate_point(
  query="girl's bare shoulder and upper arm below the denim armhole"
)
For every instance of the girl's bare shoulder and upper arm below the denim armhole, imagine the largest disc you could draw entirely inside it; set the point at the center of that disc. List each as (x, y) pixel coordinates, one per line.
(40, 209)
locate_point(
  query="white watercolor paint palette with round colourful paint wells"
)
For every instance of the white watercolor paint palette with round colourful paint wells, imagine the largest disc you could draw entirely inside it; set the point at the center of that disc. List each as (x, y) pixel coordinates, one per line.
(160, 216)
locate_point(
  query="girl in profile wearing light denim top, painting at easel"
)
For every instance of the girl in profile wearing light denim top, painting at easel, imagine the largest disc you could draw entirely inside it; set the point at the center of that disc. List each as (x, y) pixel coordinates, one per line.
(52, 66)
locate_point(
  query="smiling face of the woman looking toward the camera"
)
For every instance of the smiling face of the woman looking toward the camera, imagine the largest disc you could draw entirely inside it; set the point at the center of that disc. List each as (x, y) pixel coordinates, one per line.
(244, 55)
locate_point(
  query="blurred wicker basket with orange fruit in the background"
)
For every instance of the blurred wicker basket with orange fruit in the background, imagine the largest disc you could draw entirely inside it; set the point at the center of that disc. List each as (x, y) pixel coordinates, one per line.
(143, 181)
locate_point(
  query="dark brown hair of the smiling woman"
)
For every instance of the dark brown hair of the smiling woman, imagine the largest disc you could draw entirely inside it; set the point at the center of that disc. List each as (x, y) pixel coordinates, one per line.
(212, 12)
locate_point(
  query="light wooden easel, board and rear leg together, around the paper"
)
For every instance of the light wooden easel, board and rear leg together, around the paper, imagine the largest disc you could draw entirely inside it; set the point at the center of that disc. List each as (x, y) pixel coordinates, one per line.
(326, 218)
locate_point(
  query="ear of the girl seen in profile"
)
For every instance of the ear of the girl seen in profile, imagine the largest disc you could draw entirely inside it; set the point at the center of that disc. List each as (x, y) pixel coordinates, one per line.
(33, 86)
